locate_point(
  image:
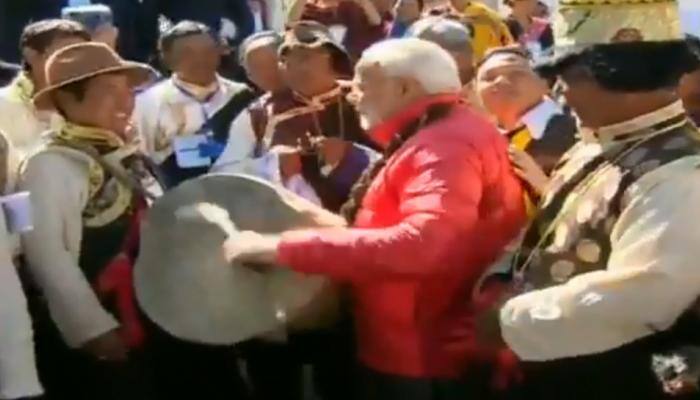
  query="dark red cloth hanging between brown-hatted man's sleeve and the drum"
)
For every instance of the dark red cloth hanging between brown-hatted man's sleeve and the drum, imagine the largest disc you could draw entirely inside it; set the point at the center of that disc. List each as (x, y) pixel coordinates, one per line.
(116, 281)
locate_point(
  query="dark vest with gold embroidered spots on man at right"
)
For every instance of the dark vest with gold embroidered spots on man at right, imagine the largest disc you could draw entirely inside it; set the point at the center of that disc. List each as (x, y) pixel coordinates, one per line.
(571, 234)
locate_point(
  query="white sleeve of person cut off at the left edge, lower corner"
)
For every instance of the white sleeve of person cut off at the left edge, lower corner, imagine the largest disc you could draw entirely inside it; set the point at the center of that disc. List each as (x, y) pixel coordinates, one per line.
(18, 374)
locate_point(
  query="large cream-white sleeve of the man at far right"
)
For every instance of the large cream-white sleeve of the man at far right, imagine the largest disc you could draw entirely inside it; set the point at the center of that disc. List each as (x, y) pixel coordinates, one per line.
(651, 278)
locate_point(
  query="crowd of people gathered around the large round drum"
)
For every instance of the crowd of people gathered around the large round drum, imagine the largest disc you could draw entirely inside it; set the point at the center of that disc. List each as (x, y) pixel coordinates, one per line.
(519, 190)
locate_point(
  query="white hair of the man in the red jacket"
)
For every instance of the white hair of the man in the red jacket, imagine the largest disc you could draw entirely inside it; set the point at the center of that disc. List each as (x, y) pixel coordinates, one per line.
(426, 62)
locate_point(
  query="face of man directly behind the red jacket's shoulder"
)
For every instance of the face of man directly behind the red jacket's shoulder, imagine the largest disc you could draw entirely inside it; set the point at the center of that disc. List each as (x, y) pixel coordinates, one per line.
(509, 87)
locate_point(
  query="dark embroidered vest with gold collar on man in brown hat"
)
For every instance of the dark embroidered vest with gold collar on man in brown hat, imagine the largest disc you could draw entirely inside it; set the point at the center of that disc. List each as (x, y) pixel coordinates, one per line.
(111, 219)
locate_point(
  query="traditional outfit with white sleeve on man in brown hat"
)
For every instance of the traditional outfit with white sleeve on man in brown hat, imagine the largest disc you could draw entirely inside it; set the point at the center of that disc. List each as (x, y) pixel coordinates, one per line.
(80, 256)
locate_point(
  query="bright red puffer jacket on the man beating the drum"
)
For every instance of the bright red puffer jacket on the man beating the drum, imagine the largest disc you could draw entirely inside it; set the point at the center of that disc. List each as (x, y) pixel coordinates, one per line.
(441, 211)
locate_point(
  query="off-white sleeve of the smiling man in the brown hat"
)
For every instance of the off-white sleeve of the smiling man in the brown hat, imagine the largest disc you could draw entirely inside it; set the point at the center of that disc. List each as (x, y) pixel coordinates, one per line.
(58, 187)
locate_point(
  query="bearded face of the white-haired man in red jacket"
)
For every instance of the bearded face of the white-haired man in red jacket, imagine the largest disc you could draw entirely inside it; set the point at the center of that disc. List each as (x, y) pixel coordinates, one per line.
(378, 96)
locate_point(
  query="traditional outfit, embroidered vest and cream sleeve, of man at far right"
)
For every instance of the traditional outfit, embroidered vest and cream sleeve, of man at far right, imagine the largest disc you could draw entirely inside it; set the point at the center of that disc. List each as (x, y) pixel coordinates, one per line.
(608, 270)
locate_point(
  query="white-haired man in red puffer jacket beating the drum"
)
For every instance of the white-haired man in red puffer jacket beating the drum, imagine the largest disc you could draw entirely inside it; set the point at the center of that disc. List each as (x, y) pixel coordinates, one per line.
(429, 220)
